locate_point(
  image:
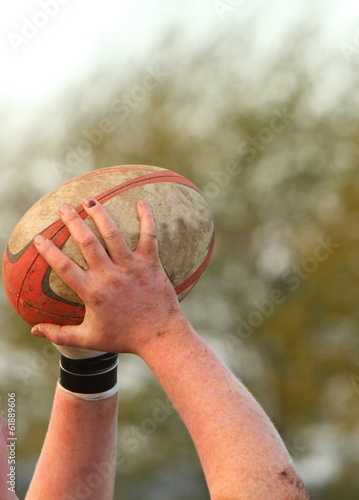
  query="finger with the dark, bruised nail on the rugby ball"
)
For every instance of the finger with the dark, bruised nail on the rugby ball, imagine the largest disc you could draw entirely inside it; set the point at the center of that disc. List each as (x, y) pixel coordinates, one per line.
(116, 244)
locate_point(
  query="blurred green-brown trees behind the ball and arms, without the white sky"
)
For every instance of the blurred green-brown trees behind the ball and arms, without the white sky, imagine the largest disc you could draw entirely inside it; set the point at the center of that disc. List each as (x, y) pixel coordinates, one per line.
(275, 151)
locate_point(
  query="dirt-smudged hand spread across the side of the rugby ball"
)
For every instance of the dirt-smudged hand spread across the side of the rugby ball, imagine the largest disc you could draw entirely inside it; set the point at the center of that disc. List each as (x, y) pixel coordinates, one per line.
(127, 295)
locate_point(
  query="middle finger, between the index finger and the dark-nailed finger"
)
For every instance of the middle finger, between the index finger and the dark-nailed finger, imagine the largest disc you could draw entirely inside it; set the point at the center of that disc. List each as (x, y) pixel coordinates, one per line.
(89, 244)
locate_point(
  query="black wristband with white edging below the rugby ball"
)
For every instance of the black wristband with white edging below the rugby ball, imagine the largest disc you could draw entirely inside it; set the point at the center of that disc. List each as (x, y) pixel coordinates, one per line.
(89, 375)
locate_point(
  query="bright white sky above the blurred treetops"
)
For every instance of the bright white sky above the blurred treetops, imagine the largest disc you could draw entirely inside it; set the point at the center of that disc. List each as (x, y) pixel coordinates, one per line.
(45, 44)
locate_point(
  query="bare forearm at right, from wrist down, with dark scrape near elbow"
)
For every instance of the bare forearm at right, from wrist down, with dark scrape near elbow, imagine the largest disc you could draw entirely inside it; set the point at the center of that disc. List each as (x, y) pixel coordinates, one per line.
(241, 453)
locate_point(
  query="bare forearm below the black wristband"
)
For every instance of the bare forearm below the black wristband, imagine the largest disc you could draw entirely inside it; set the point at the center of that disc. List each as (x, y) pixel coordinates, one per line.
(79, 452)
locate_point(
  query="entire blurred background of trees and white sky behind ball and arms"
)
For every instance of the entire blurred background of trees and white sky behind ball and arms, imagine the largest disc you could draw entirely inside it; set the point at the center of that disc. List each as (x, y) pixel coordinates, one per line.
(257, 103)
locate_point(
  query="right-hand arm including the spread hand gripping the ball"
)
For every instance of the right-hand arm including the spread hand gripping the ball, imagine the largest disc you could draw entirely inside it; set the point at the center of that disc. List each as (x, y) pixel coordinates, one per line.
(242, 455)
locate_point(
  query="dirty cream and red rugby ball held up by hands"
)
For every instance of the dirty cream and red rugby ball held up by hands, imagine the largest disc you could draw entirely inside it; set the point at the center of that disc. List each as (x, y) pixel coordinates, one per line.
(184, 225)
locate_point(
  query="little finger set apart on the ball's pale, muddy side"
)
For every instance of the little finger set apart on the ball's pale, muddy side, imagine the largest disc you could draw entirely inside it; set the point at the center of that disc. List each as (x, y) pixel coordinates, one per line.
(147, 244)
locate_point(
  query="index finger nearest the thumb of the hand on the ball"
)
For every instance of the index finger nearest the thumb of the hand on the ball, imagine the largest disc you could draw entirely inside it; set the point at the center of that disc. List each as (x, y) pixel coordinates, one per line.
(66, 268)
